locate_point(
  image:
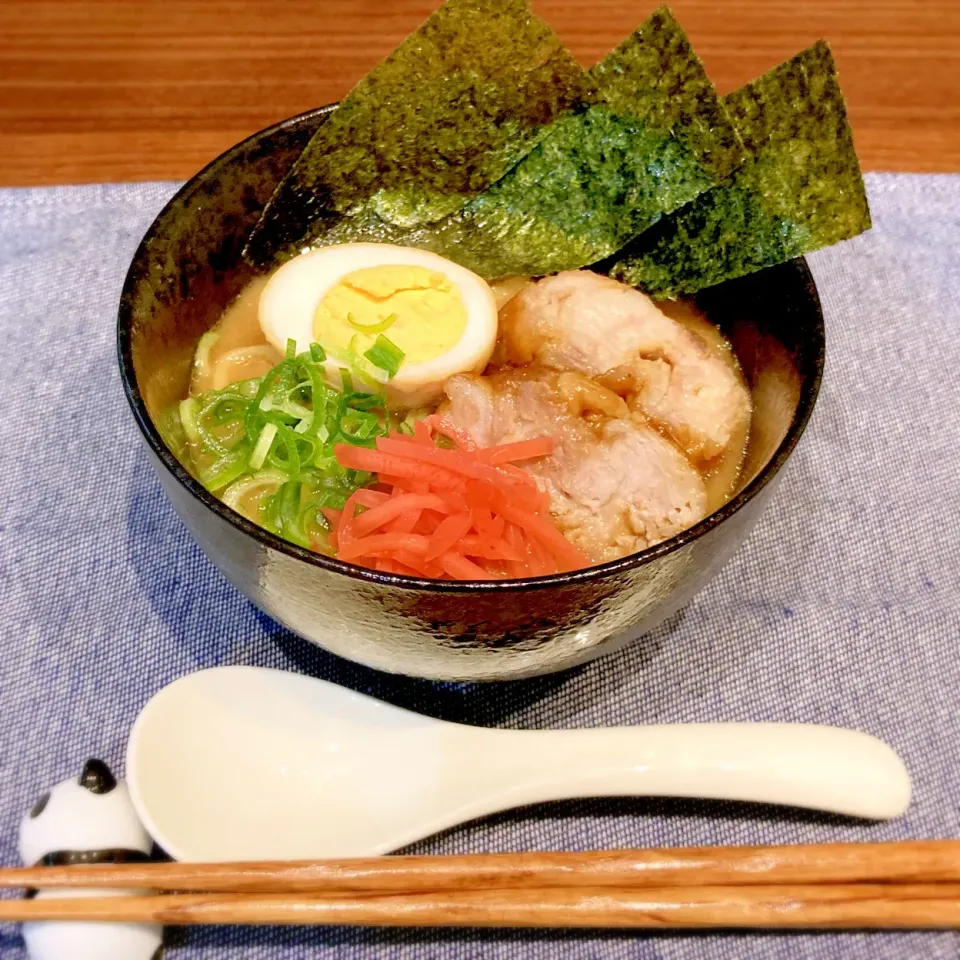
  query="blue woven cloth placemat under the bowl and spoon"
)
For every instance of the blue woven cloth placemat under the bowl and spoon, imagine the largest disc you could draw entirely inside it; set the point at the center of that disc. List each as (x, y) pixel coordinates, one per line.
(843, 607)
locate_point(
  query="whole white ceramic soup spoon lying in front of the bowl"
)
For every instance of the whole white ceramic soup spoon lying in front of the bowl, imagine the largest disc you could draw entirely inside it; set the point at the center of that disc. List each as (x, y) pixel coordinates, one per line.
(243, 763)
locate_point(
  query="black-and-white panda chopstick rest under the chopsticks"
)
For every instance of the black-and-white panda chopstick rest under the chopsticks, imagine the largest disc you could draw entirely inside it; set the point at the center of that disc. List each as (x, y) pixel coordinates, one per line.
(89, 819)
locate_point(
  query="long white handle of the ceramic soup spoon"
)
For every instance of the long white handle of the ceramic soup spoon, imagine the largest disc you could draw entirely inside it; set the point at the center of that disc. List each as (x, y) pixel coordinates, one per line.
(802, 765)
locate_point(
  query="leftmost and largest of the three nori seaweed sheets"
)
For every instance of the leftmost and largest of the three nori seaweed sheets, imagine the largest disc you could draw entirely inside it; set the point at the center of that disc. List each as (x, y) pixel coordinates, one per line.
(451, 110)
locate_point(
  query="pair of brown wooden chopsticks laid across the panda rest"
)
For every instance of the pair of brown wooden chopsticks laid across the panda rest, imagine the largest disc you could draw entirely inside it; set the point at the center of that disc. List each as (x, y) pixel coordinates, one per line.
(894, 885)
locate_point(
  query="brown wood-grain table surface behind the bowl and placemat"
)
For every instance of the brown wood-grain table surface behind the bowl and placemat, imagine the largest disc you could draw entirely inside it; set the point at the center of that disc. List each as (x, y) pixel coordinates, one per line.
(107, 90)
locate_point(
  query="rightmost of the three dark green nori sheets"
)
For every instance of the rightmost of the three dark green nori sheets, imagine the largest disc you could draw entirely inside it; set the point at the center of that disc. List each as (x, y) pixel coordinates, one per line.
(801, 190)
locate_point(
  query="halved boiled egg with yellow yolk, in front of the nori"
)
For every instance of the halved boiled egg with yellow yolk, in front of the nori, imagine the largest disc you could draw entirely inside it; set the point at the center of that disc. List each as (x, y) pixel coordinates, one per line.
(400, 319)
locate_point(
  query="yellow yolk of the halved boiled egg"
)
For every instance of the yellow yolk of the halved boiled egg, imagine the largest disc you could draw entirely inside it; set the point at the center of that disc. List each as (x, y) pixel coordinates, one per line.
(419, 310)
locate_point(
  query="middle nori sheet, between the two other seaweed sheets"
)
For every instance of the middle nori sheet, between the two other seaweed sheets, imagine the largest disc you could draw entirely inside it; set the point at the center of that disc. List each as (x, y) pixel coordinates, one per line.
(653, 137)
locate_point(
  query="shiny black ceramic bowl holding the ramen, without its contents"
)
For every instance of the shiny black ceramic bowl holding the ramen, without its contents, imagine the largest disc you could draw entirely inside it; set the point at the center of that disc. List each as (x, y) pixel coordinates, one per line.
(189, 266)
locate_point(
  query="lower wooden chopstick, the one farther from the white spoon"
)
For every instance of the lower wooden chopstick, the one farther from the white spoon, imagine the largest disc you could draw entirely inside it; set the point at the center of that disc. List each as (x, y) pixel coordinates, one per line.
(876, 906)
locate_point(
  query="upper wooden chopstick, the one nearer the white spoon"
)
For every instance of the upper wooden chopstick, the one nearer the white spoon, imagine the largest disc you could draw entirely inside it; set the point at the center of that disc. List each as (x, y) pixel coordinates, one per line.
(915, 862)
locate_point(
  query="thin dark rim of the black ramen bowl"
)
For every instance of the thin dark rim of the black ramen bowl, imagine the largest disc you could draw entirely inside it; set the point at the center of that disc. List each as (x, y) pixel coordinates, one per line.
(809, 390)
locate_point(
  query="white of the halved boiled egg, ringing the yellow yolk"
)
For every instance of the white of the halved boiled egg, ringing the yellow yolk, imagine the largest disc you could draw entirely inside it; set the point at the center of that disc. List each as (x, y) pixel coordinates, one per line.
(291, 297)
